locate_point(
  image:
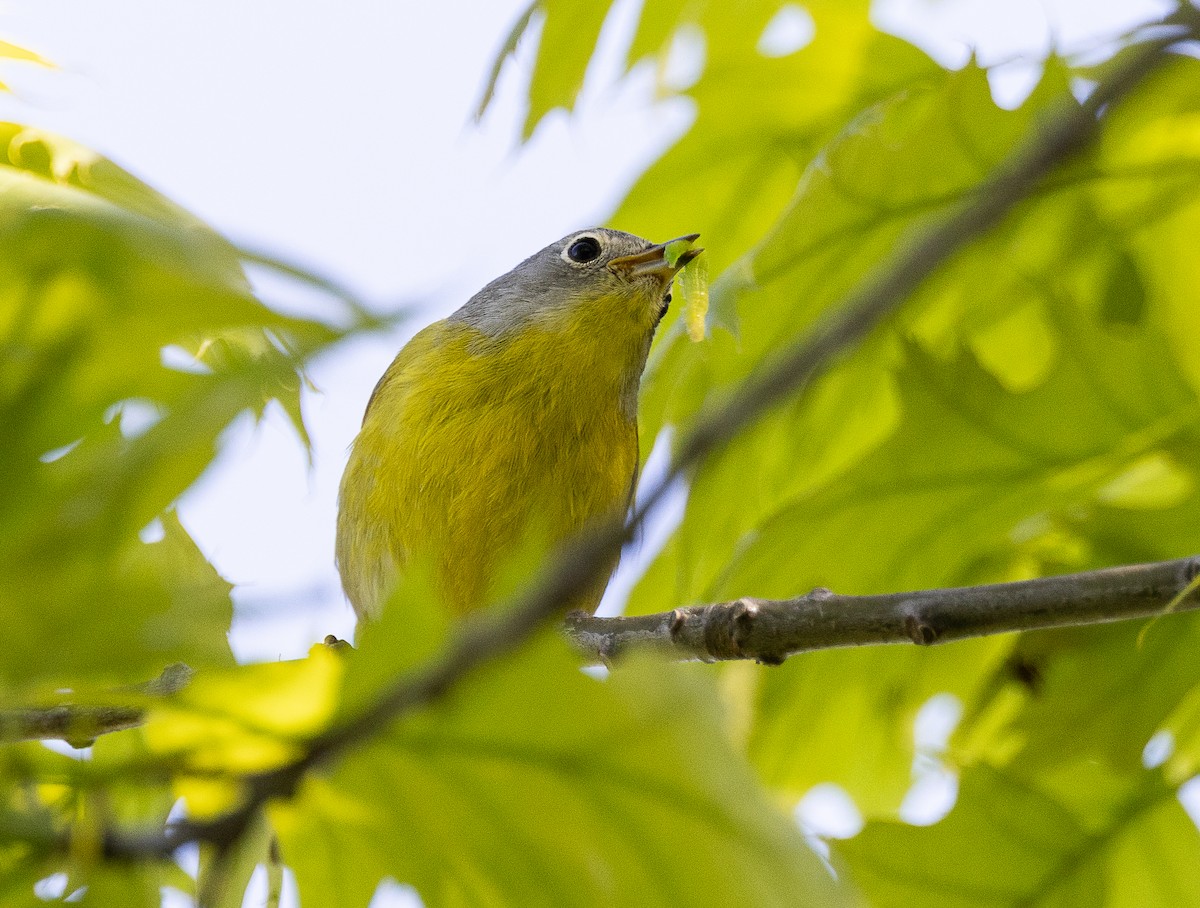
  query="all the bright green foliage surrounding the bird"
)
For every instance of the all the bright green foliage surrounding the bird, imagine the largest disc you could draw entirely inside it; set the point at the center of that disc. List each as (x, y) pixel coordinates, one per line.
(1034, 410)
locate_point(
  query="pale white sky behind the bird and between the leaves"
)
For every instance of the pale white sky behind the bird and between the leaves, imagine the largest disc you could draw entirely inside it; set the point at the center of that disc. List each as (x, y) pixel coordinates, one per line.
(339, 136)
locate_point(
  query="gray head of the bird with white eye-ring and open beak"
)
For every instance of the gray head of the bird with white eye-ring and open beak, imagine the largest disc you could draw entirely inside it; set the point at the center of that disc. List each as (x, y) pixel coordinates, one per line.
(584, 267)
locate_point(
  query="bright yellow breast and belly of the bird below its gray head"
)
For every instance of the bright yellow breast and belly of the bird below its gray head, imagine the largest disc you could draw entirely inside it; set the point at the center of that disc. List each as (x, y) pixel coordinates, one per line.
(471, 442)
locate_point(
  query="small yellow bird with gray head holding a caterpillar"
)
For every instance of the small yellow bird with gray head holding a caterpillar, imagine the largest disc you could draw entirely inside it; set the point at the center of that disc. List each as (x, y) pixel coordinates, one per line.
(515, 416)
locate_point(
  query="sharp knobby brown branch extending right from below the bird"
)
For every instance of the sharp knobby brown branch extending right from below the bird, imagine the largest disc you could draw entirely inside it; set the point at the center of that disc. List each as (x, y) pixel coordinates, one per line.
(772, 630)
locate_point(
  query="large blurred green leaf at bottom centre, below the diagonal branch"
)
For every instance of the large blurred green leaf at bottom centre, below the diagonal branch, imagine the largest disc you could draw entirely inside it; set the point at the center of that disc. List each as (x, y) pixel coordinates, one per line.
(532, 784)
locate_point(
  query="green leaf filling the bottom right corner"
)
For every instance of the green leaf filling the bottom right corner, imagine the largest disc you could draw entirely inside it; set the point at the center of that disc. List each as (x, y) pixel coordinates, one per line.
(1007, 844)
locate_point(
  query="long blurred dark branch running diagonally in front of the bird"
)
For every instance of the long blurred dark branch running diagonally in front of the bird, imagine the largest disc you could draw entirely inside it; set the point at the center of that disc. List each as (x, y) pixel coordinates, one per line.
(495, 634)
